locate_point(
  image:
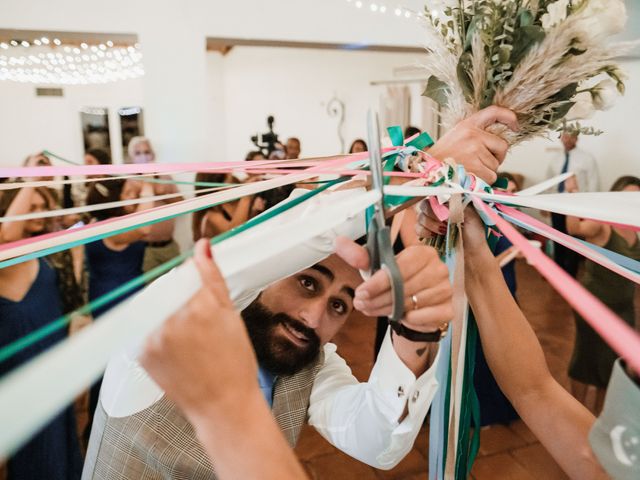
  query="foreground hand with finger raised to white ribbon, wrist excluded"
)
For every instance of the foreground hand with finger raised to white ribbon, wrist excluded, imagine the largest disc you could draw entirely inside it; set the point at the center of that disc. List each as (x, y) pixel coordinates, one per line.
(202, 356)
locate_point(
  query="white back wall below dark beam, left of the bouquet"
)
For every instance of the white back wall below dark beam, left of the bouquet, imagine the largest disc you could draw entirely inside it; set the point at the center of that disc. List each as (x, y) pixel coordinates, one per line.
(295, 85)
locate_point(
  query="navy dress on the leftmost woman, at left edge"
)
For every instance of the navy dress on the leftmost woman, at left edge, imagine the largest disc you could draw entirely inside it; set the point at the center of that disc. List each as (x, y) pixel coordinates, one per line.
(53, 453)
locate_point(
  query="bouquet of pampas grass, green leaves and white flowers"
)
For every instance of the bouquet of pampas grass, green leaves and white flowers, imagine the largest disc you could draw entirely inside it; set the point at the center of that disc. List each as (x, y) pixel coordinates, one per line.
(547, 60)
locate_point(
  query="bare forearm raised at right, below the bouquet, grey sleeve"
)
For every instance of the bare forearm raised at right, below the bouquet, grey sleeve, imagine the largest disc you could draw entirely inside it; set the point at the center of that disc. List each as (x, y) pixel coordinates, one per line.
(516, 359)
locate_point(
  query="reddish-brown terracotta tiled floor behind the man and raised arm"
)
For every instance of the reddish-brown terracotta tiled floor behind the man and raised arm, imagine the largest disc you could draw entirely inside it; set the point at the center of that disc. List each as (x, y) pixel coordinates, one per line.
(506, 453)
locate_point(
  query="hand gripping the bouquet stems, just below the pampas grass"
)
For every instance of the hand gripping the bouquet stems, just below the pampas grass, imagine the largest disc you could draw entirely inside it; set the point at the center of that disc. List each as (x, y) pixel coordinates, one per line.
(470, 145)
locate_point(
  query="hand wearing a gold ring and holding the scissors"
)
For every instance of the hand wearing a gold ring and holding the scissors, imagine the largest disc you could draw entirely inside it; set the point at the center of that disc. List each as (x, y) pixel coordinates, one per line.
(425, 278)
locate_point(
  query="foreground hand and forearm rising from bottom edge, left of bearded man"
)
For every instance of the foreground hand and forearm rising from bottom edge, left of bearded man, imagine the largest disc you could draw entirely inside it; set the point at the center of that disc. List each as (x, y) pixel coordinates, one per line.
(206, 365)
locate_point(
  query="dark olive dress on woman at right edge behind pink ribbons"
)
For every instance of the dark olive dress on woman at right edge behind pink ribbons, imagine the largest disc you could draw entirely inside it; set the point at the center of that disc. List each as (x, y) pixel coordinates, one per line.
(592, 360)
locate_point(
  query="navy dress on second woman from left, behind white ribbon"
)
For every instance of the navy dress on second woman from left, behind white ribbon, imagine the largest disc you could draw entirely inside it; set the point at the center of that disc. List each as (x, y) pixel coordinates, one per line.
(109, 269)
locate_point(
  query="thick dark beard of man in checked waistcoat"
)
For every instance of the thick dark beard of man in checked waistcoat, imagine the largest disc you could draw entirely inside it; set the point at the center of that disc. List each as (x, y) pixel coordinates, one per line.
(276, 353)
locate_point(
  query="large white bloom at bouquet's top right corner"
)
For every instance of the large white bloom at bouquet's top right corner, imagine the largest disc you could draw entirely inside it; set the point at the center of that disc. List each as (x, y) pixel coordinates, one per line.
(601, 19)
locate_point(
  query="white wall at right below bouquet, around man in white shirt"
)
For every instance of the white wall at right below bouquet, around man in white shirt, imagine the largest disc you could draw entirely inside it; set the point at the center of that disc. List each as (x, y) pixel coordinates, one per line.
(616, 151)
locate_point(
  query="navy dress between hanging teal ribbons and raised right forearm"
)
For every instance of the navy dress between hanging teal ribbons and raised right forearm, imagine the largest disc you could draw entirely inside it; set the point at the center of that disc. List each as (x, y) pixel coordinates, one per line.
(494, 406)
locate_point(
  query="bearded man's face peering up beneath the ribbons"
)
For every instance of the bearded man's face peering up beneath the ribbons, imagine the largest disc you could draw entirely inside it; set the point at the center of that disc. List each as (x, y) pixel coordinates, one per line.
(294, 317)
